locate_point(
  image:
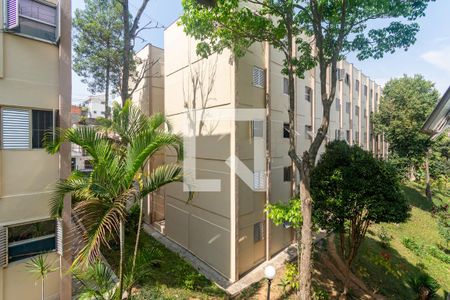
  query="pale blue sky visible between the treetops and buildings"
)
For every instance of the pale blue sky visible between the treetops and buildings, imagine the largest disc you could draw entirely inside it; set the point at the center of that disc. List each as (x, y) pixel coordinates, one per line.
(429, 56)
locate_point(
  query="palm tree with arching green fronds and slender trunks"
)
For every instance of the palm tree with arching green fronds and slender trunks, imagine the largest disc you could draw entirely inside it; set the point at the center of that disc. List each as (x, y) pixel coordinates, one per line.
(119, 149)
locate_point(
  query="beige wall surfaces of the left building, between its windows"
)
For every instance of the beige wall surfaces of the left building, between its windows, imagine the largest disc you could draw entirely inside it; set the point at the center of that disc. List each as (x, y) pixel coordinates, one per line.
(29, 79)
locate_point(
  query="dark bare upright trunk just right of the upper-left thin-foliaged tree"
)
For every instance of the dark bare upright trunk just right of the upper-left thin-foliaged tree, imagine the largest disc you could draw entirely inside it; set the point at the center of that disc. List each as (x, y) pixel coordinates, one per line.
(126, 51)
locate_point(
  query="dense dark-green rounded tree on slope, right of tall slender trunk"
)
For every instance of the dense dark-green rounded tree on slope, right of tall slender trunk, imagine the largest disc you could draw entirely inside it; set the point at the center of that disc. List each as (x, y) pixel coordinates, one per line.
(351, 191)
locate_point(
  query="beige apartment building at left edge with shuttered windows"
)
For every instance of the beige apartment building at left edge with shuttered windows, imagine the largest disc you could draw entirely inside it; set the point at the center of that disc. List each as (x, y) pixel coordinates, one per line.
(35, 83)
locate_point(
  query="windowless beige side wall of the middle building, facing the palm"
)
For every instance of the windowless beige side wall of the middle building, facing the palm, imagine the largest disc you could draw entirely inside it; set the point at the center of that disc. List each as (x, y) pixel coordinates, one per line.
(203, 226)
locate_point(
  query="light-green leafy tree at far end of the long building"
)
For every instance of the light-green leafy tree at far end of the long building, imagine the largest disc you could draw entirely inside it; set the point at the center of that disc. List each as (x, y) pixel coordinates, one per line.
(405, 106)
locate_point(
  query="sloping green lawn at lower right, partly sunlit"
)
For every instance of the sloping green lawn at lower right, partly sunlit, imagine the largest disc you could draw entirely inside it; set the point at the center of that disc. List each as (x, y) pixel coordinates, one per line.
(388, 269)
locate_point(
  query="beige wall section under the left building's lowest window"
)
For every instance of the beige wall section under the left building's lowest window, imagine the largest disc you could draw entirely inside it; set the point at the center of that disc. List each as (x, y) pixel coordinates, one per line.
(18, 283)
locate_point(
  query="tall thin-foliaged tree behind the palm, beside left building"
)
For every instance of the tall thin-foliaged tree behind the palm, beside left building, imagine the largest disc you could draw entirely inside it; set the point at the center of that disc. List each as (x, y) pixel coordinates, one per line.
(98, 46)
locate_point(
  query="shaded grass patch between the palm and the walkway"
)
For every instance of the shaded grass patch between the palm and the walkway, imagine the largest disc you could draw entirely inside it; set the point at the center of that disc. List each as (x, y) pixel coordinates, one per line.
(169, 276)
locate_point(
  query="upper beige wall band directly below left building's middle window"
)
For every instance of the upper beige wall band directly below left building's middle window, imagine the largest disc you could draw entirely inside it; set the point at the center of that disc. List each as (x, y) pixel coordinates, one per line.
(26, 172)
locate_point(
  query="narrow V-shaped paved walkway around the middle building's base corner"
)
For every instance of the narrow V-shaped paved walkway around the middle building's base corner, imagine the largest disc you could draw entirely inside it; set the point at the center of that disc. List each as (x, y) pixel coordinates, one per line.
(232, 289)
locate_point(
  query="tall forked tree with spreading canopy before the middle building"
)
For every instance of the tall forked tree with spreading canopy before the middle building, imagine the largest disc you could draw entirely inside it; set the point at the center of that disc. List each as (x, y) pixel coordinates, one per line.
(330, 30)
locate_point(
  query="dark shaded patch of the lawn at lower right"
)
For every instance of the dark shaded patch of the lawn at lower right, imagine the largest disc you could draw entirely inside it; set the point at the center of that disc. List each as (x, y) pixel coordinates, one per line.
(386, 271)
